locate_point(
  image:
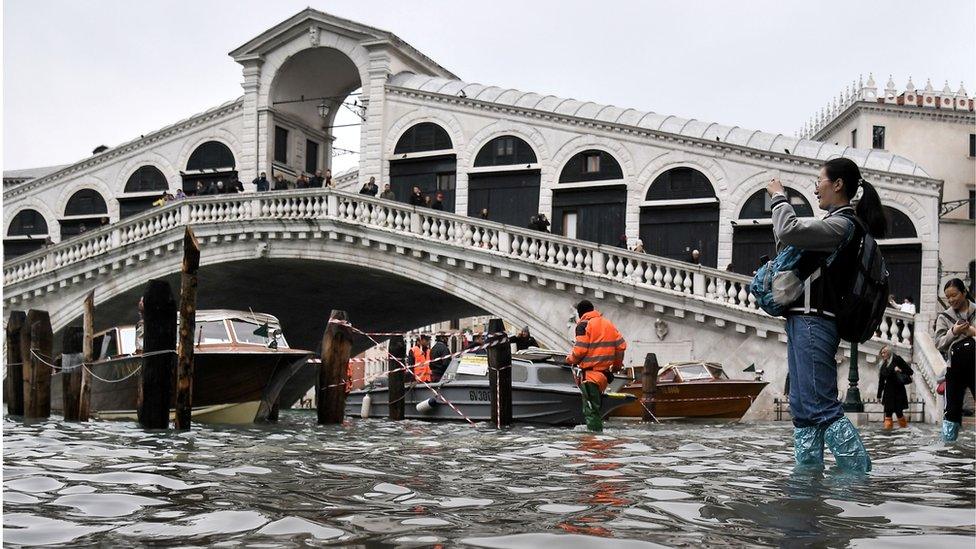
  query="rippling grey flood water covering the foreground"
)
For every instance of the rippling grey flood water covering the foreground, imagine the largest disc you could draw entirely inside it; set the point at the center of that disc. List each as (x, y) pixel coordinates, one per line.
(373, 483)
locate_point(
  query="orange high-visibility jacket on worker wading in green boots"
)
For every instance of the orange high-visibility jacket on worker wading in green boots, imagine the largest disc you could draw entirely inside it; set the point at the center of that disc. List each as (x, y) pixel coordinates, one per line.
(599, 347)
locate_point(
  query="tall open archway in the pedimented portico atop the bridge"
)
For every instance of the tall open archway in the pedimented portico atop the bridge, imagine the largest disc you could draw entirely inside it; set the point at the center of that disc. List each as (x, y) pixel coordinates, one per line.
(316, 116)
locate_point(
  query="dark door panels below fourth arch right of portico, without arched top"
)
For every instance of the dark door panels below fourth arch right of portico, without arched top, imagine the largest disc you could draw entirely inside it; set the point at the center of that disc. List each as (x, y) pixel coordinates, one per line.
(674, 231)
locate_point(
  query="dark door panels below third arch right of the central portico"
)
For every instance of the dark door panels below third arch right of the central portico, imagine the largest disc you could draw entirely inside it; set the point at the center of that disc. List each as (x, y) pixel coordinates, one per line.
(600, 213)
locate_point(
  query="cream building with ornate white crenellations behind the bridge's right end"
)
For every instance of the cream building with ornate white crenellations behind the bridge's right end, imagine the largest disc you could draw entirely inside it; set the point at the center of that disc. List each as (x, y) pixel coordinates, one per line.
(936, 128)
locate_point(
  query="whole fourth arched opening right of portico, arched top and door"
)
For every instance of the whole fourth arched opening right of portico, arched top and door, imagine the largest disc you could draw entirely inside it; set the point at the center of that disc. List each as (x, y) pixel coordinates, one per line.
(680, 214)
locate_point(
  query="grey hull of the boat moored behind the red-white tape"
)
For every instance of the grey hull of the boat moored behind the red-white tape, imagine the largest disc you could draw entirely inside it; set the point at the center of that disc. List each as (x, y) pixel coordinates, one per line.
(530, 404)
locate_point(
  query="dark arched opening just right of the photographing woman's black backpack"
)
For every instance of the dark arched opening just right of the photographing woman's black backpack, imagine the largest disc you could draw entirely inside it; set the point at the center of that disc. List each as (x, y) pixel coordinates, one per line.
(902, 251)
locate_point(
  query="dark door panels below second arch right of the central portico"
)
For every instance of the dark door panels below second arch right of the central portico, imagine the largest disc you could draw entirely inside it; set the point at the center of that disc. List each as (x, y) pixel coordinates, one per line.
(510, 197)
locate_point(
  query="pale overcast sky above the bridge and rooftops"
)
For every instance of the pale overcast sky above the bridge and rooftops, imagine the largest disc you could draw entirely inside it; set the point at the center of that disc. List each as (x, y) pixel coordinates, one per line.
(77, 74)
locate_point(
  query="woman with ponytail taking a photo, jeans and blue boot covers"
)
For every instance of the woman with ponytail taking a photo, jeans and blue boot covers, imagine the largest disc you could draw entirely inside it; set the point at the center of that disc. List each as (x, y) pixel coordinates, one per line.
(811, 328)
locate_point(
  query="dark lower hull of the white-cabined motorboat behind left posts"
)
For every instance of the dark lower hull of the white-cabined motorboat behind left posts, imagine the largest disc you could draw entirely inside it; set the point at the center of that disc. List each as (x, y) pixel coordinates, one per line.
(228, 387)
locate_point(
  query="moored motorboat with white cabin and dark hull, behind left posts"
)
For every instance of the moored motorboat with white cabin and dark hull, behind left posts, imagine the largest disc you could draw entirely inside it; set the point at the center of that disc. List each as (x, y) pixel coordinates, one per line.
(241, 363)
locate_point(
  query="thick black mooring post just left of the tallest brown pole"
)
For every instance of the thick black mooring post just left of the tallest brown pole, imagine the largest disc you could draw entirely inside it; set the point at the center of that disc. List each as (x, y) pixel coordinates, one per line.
(158, 362)
